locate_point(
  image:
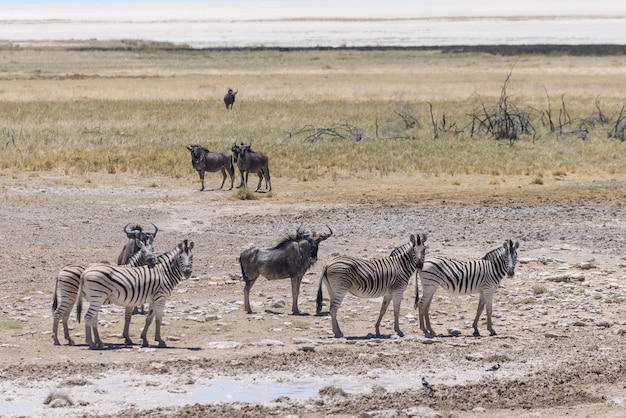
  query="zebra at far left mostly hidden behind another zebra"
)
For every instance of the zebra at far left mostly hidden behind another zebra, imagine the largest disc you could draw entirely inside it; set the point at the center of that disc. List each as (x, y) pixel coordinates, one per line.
(68, 282)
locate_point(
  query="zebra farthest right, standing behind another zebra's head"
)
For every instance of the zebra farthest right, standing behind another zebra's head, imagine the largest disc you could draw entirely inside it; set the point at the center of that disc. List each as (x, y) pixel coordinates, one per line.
(466, 277)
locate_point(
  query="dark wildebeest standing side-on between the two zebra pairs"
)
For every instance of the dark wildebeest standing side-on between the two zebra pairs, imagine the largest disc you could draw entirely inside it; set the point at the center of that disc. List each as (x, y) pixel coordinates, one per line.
(290, 258)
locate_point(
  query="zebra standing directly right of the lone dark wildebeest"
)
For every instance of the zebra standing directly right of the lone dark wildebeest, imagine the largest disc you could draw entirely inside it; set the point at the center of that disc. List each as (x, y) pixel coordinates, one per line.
(369, 278)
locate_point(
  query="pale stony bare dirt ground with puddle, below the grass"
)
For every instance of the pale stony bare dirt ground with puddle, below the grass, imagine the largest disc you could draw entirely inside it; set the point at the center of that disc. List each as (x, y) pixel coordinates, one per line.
(561, 321)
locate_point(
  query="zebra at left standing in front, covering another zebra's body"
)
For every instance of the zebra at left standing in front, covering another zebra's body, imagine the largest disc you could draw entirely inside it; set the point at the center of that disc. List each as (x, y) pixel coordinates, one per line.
(131, 286)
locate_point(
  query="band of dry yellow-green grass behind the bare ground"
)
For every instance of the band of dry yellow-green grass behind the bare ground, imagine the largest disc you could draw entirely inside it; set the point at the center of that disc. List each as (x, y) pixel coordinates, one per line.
(84, 111)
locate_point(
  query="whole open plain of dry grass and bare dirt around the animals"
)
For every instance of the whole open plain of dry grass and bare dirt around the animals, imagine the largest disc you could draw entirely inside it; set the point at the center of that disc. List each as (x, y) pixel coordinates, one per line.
(377, 145)
